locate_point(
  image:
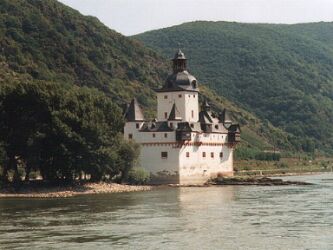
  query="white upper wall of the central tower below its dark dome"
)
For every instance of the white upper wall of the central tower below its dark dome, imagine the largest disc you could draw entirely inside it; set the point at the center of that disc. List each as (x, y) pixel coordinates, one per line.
(187, 104)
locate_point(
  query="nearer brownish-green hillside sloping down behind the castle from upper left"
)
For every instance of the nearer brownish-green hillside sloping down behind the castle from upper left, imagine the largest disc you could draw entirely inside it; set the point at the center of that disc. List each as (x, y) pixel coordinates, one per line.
(44, 40)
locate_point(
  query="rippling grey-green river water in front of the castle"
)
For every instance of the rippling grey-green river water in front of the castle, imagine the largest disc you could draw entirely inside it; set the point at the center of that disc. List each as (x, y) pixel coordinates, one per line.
(233, 217)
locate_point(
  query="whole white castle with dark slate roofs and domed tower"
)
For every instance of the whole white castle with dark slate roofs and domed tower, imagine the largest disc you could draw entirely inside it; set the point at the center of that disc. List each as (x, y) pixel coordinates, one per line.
(184, 145)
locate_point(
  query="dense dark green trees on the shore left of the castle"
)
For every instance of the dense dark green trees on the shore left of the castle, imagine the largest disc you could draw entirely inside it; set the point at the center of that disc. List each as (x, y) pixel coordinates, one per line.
(63, 132)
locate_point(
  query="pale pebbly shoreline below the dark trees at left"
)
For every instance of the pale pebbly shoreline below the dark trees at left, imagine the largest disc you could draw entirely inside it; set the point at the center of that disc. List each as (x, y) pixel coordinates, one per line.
(69, 190)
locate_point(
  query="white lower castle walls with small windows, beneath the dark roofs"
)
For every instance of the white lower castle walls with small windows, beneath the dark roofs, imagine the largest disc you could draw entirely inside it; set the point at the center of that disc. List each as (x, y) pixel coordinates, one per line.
(178, 167)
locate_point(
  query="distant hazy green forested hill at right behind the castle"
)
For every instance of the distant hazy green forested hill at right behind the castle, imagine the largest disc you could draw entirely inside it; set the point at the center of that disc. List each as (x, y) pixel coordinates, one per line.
(282, 73)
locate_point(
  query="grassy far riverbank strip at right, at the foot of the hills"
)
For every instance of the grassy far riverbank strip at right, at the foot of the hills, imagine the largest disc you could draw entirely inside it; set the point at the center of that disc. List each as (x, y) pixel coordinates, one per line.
(283, 167)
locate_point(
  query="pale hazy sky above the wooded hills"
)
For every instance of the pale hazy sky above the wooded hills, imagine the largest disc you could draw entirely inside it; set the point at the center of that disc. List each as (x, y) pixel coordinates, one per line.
(135, 16)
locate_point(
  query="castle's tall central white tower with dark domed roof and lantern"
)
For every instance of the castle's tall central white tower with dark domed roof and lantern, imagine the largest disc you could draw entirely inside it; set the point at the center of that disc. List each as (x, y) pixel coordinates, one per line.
(181, 89)
